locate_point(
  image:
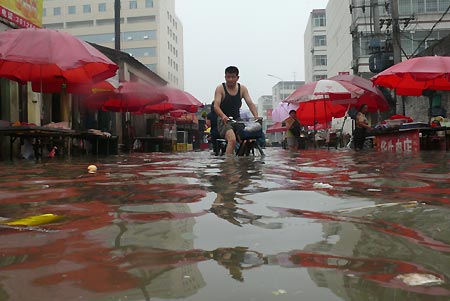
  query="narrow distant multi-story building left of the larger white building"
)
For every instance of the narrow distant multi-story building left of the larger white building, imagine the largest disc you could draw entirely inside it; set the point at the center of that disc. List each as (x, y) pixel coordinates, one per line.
(315, 46)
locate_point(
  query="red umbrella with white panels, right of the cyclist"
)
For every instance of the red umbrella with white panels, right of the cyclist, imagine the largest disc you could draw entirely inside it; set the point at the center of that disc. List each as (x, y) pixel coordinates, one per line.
(324, 89)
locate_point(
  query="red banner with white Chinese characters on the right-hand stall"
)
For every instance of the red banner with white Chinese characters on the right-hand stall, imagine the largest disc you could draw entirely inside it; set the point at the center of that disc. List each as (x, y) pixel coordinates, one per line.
(399, 142)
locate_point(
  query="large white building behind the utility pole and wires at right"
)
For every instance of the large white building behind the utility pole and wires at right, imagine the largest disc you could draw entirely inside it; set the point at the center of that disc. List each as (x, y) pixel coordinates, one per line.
(359, 33)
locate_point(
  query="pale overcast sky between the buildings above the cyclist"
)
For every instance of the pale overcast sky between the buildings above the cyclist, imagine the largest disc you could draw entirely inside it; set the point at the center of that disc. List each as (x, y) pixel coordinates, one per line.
(260, 37)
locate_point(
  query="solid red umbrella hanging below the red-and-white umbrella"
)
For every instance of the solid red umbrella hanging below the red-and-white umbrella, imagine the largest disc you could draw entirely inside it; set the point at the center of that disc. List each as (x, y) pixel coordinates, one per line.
(319, 111)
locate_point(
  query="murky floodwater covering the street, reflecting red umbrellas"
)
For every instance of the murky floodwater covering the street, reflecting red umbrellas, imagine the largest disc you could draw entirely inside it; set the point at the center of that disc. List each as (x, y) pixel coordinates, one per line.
(318, 225)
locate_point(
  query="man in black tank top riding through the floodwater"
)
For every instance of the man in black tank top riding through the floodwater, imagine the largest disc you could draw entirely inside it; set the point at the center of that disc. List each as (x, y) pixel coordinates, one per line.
(227, 102)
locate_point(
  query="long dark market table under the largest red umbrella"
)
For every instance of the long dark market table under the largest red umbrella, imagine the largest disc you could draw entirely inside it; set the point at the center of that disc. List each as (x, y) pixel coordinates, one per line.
(41, 135)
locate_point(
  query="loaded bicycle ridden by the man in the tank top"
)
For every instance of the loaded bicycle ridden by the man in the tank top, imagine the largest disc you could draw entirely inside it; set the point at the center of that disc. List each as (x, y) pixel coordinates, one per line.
(247, 135)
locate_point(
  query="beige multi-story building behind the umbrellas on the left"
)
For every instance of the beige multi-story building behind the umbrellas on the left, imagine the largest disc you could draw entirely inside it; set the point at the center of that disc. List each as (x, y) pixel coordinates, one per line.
(150, 31)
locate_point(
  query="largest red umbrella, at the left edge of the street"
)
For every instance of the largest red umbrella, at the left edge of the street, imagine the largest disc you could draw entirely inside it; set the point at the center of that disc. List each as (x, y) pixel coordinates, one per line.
(56, 59)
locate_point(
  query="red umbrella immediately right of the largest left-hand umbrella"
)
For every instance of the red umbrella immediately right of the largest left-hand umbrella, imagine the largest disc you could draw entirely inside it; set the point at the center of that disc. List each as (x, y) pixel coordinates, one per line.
(129, 97)
